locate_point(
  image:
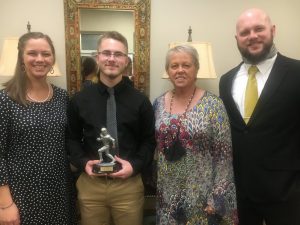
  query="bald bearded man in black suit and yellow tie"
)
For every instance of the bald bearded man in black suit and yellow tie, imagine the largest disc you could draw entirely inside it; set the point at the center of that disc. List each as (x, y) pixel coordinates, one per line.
(264, 114)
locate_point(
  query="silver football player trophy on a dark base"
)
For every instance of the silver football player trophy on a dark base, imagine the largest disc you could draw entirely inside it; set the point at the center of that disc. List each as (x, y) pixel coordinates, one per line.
(105, 166)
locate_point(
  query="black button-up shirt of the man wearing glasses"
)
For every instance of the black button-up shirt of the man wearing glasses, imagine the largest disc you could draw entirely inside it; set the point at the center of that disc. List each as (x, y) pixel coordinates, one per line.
(135, 119)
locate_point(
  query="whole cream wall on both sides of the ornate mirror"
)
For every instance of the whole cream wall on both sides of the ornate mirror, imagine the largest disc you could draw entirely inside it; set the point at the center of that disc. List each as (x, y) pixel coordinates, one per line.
(212, 21)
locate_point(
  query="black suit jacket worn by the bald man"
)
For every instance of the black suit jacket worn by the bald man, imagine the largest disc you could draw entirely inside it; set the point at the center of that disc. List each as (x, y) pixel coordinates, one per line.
(266, 151)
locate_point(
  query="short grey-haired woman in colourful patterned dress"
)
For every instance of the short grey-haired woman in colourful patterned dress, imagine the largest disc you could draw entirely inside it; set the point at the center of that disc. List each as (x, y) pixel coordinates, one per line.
(195, 176)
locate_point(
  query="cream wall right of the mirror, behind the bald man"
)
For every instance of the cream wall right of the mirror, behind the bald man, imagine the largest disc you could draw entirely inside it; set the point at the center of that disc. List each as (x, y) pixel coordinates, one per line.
(214, 21)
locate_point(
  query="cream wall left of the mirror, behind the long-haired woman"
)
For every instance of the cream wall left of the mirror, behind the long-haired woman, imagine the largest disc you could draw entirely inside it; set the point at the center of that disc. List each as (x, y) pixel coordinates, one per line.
(46, 16)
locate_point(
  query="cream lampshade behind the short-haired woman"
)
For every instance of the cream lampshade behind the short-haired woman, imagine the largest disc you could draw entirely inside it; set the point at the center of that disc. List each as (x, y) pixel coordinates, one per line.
(204, 49)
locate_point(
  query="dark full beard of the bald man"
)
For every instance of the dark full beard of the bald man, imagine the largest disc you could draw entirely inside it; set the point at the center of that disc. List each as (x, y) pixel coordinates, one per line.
(256, 58)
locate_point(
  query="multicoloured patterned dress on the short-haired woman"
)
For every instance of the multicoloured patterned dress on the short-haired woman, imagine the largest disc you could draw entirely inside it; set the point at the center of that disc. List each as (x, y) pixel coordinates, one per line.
(203, 174)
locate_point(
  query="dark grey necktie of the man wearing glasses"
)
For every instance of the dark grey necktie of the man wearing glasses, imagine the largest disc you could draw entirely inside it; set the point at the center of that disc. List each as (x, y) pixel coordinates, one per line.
(111, 118)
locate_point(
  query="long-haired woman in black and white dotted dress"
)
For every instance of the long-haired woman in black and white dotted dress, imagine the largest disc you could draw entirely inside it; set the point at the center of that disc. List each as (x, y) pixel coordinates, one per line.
(35, 185)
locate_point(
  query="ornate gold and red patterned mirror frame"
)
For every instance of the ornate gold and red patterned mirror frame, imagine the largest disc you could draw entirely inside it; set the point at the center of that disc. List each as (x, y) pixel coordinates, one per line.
(141, 10)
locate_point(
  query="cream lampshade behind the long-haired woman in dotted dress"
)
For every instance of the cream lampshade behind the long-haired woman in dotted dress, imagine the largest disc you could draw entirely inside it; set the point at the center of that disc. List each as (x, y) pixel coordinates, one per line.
(9, 56)
